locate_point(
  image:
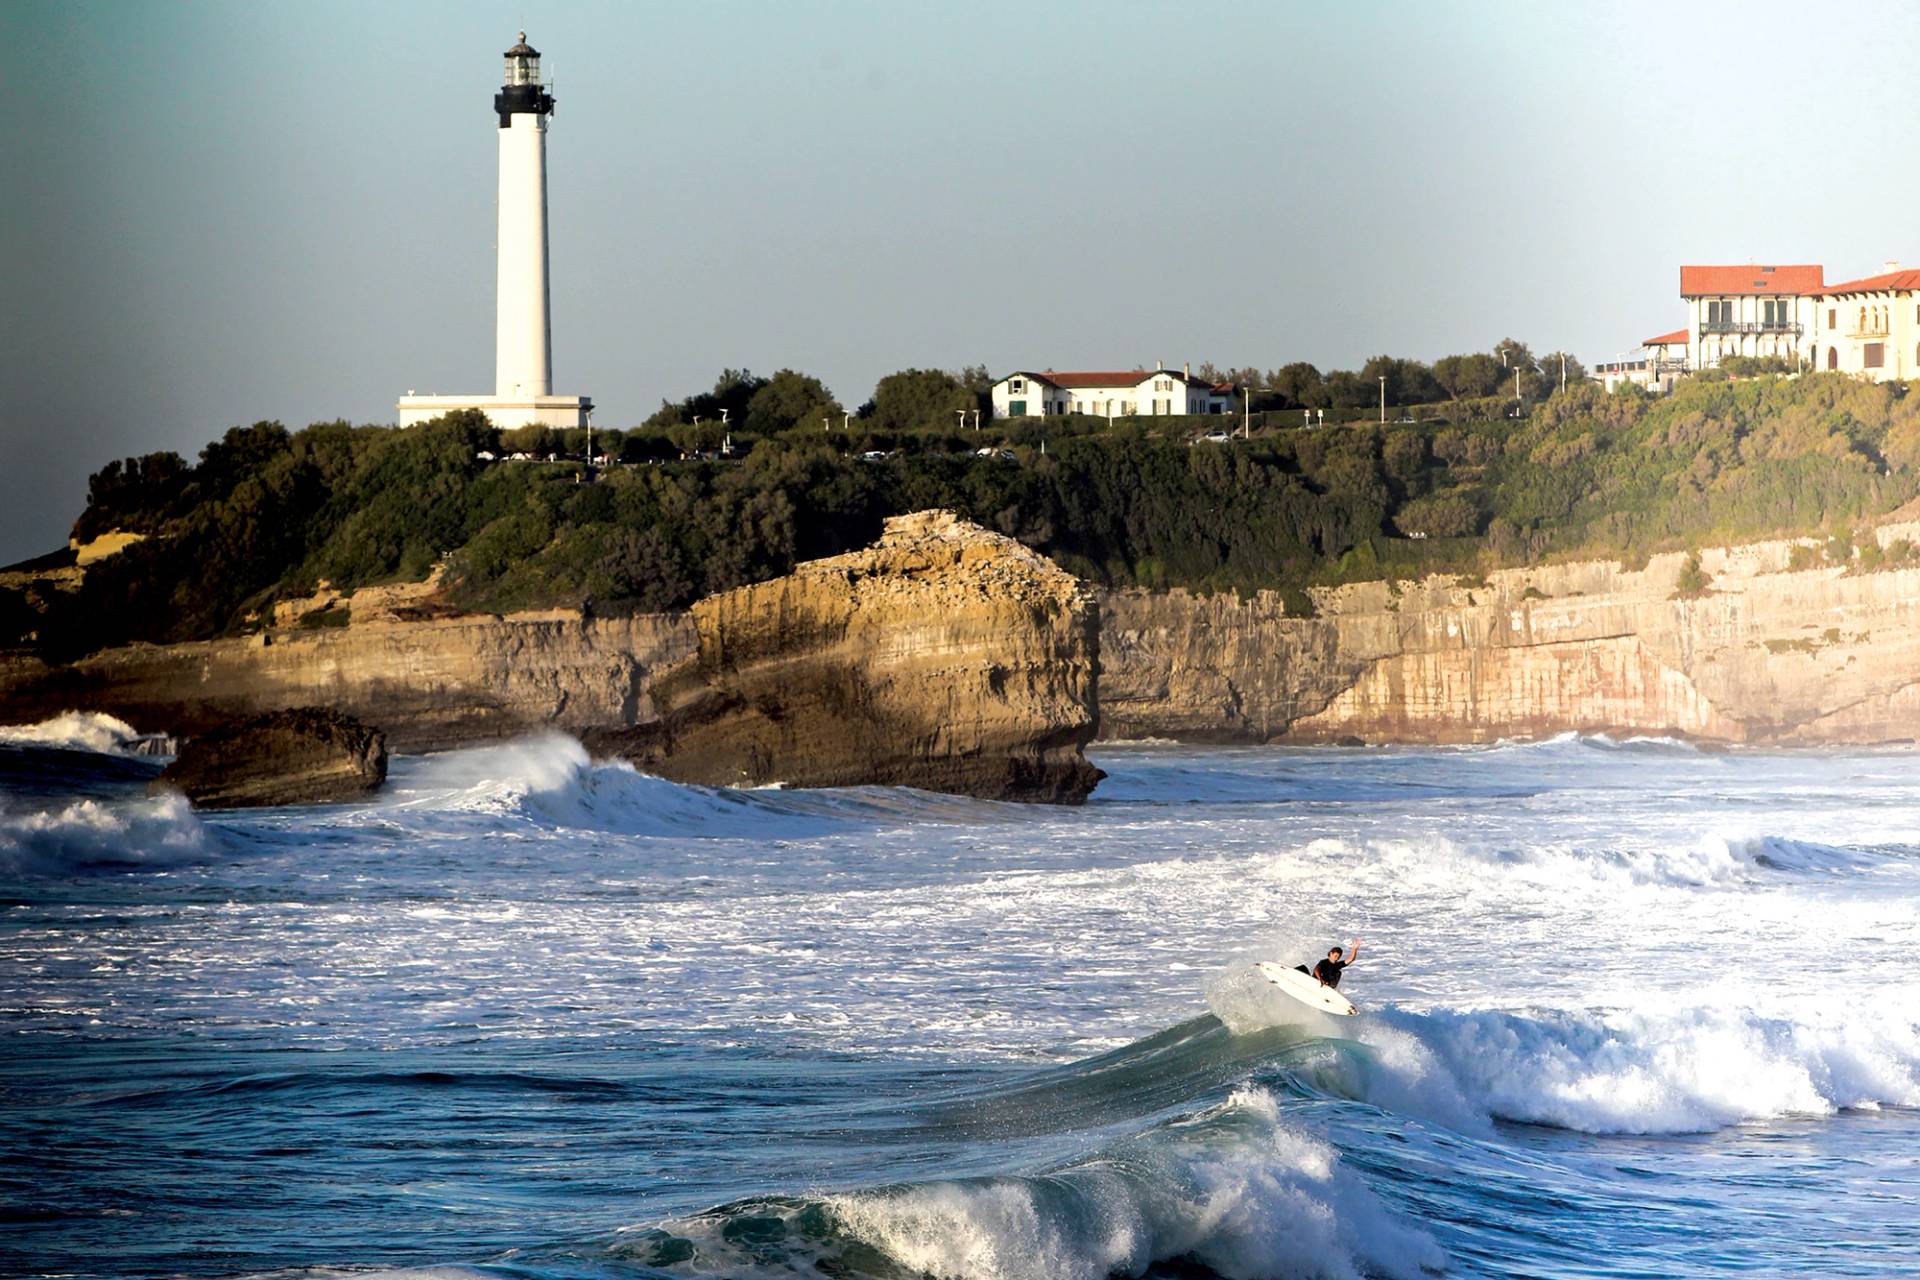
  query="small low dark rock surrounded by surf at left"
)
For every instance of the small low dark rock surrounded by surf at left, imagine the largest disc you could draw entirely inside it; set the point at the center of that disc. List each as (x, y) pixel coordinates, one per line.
(293, 757)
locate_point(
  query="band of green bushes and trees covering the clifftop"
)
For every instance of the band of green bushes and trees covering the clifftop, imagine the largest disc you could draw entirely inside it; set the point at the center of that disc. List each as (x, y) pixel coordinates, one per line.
(270, 513)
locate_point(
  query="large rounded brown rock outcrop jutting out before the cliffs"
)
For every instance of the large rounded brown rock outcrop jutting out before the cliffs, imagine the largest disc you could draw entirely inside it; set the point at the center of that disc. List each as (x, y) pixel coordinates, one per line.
(942, 657)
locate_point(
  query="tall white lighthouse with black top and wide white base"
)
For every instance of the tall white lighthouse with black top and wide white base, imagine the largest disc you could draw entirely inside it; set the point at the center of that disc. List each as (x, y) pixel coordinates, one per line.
(523, 337)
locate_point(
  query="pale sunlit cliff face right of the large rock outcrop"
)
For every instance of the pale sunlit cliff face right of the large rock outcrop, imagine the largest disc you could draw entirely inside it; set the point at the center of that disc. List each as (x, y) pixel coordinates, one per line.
(1764, 653)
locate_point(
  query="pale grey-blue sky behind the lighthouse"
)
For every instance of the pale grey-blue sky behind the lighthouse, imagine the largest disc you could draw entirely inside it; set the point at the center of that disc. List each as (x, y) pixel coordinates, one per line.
(229, 212)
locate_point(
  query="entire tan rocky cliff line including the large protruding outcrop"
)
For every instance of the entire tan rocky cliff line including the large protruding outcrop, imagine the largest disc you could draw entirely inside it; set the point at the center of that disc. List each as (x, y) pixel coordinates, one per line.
(955, 659)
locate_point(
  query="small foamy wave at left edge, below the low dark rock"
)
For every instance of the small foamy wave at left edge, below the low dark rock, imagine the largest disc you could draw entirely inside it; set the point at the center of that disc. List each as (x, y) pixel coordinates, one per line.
(160, 832)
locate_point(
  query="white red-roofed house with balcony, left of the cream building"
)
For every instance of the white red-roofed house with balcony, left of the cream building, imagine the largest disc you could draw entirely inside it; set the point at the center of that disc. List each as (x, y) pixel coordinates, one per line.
(1758, 310)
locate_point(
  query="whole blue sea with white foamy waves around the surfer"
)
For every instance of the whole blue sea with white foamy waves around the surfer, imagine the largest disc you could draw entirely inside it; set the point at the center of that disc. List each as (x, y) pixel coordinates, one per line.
(1629, 1010)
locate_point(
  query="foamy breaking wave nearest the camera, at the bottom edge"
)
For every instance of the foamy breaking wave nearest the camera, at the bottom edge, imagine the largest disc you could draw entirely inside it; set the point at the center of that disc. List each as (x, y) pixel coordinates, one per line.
(1234, 1187)
